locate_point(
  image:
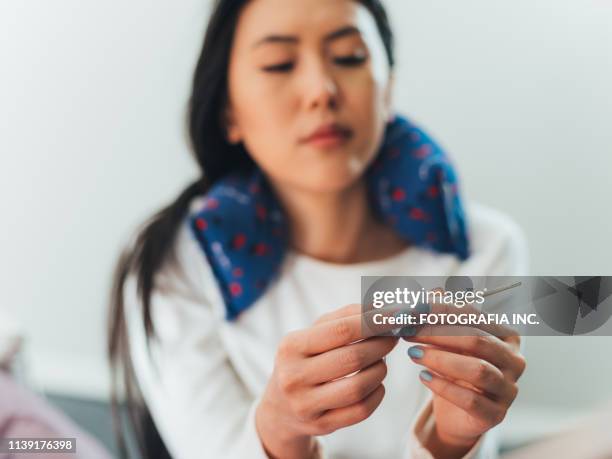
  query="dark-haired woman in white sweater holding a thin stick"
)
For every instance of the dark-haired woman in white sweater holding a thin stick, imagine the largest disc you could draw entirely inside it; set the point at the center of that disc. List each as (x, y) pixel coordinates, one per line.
(294, 98)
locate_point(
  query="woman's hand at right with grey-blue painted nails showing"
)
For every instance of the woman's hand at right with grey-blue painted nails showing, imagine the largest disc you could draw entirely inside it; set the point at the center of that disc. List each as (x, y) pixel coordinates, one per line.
(473, 379)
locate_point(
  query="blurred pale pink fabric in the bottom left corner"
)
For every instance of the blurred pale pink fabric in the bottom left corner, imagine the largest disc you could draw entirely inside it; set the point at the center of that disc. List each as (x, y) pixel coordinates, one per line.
(25, 415)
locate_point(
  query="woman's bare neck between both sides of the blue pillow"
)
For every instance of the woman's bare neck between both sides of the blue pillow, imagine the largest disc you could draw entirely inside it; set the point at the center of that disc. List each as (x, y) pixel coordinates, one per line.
(337, 226)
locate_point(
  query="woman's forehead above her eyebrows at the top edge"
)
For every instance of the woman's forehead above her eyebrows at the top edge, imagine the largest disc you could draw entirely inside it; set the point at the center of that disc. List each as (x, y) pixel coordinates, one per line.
(304, 19)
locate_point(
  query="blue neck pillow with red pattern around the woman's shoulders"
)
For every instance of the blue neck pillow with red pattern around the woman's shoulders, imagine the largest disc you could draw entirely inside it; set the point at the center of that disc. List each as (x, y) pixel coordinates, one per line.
(412, 187)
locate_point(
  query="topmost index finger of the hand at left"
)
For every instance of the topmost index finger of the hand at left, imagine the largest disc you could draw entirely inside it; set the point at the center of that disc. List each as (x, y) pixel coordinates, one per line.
(342, 331)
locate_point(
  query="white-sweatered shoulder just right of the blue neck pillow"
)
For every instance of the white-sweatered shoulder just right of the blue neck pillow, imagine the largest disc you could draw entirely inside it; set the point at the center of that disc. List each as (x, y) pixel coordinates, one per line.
(498, 243)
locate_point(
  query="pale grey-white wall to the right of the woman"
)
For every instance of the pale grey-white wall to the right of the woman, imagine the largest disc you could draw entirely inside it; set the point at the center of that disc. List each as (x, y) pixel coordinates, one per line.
(520, 93)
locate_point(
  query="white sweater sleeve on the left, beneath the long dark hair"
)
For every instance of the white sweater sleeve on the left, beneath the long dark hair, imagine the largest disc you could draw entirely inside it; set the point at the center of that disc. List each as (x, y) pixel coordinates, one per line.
(200, 406)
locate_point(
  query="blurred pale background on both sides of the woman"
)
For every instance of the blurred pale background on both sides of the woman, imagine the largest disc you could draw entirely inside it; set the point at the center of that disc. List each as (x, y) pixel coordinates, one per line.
(92, 142)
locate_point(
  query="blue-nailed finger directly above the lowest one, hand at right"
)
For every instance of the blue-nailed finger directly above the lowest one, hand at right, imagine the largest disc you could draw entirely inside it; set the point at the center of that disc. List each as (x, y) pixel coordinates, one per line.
(478, 372)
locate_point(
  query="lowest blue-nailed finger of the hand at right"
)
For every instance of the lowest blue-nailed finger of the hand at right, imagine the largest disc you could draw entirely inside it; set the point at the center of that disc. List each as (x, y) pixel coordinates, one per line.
(488, 412)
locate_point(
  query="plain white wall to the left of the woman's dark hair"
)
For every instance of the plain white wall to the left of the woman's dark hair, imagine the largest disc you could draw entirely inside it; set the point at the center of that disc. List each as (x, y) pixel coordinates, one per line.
(92, 142)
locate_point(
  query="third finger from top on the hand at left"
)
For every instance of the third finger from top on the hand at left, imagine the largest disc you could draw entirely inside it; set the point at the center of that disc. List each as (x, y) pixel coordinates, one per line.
(347, 391)
